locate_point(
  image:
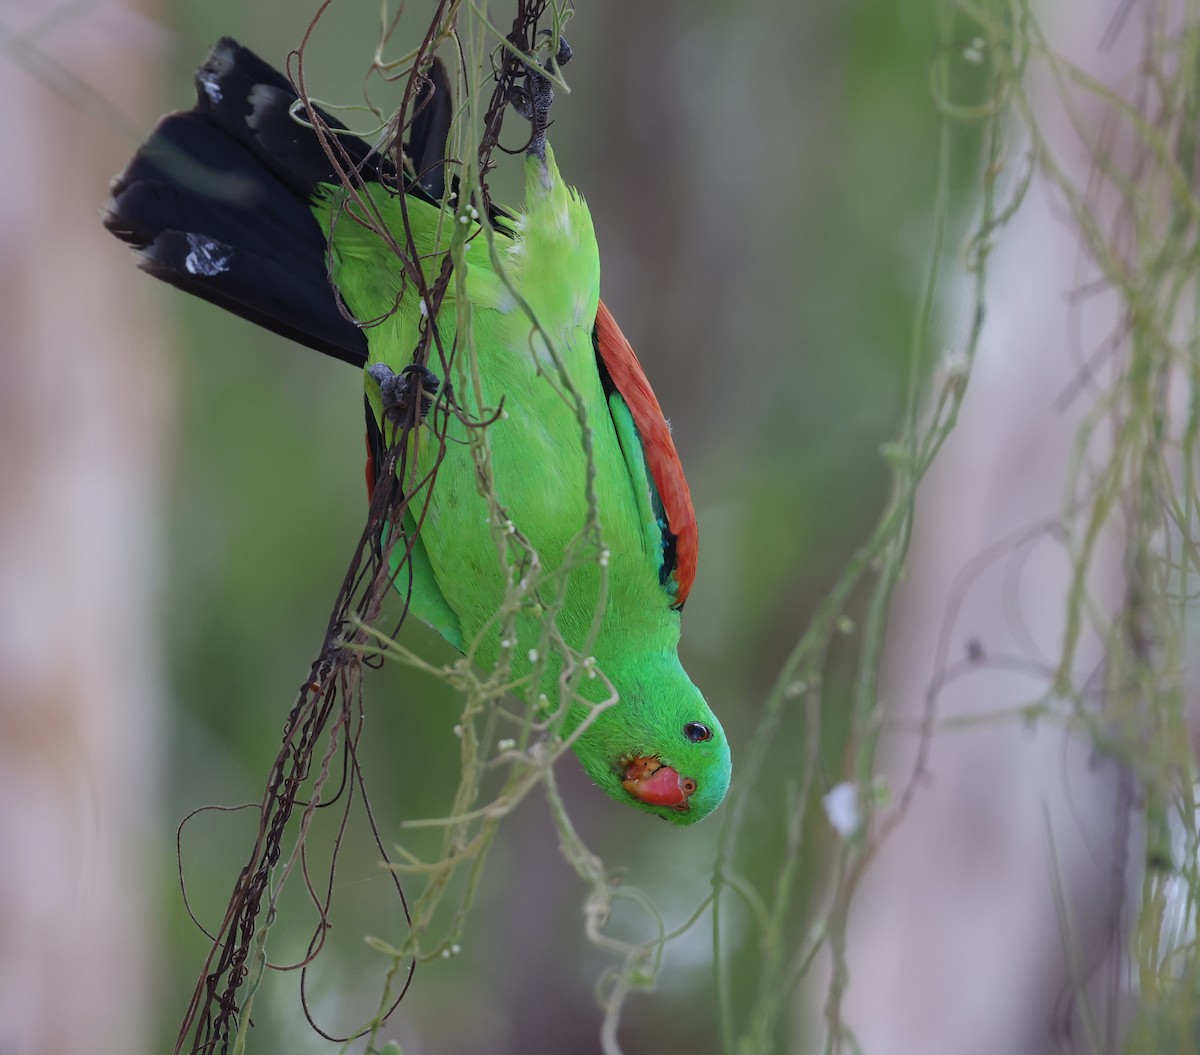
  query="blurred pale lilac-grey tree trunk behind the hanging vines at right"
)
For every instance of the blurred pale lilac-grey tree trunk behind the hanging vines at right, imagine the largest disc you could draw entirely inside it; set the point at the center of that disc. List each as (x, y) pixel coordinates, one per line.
(995, 919)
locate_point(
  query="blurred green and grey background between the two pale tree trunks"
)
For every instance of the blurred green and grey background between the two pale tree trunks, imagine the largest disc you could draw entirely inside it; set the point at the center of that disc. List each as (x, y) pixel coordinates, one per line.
(761, 179)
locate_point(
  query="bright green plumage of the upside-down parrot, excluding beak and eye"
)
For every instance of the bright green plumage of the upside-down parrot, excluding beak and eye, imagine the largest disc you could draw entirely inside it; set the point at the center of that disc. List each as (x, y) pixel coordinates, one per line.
(539, 466)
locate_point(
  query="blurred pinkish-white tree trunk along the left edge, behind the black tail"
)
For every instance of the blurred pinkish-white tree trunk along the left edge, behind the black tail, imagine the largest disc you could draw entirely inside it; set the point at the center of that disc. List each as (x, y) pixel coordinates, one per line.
(81, 475)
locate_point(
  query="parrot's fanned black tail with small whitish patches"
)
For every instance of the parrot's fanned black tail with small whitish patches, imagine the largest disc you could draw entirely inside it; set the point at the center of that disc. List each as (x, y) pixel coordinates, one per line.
(218, 200)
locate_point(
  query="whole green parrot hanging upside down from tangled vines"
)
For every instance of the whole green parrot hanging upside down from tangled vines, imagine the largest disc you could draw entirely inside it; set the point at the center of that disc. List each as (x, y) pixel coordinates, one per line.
(237, 202)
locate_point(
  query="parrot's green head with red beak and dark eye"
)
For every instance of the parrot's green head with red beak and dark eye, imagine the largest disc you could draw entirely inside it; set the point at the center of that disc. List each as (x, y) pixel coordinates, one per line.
(661, 748)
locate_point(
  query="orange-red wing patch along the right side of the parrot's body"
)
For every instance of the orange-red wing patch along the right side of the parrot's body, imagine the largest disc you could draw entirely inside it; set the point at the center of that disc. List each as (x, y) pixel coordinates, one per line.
(662, 459)
